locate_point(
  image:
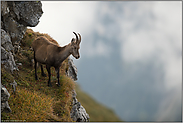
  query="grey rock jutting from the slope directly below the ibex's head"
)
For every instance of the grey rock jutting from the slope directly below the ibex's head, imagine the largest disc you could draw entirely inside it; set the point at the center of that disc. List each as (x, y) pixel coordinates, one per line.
(72, 70)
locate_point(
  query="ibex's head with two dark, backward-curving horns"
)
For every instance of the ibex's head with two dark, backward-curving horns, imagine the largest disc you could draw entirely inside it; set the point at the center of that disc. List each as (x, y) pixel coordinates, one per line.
(75, 46)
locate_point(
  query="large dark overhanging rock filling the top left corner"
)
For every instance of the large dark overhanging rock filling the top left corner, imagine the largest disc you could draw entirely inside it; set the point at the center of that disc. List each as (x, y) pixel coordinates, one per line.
(16, 16)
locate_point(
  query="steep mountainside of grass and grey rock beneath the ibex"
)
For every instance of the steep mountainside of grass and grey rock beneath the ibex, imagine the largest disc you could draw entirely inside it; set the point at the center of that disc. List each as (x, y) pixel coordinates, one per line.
(25, 98)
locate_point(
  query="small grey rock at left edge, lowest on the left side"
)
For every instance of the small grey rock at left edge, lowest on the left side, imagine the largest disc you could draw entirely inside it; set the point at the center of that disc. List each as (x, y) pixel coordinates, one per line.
(4, 100)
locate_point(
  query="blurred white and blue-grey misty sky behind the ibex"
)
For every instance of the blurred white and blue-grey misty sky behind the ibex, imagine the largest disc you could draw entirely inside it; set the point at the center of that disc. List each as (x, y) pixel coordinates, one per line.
(131, 53)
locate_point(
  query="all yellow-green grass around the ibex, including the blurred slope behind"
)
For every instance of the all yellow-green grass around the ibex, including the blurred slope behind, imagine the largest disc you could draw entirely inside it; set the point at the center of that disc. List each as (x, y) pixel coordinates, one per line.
(35, 101)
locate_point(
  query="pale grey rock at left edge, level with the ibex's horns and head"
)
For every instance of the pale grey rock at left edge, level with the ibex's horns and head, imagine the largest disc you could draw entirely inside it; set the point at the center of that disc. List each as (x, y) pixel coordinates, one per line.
(6, 41)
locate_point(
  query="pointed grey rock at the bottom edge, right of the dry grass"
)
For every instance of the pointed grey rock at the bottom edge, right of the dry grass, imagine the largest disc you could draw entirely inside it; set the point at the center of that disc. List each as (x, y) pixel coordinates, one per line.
(78, 112)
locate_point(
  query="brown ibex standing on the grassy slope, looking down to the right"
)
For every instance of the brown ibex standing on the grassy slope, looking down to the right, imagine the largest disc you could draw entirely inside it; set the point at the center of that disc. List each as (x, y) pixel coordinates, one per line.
(51, 54)
